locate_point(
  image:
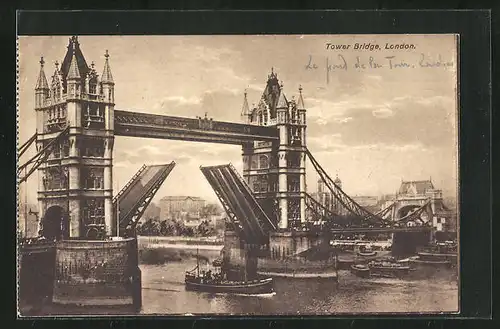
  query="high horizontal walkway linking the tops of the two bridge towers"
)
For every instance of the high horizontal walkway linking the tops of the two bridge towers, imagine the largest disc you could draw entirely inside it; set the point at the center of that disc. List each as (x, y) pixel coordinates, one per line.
(137, 124)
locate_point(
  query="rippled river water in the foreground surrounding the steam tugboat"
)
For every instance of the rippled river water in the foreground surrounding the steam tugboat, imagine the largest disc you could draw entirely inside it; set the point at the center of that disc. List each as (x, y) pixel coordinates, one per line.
(429, 290)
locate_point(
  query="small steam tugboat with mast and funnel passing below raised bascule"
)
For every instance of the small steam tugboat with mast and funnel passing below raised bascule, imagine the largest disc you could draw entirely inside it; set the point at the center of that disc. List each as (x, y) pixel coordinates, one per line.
(218, 283)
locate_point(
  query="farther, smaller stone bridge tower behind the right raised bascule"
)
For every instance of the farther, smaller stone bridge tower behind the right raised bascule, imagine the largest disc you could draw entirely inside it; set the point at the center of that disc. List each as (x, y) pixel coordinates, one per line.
(276, 171)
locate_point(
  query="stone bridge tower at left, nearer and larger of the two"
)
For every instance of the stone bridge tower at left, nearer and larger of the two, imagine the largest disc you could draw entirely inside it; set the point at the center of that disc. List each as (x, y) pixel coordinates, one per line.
(75, 183)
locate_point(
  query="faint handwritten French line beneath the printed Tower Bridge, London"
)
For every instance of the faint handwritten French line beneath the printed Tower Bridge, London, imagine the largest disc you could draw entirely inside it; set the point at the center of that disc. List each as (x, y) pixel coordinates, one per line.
(391, 62)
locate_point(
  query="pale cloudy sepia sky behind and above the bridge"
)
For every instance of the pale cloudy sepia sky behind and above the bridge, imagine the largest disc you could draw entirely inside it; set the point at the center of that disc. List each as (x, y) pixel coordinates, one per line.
(373, 125)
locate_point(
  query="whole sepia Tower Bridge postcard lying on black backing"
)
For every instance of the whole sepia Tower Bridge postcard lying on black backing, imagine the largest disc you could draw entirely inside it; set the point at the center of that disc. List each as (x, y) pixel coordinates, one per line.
(238, 175)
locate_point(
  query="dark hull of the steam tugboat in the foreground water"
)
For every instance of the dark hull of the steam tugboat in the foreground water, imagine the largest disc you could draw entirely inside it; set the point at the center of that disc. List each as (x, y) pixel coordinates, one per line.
(250, 288)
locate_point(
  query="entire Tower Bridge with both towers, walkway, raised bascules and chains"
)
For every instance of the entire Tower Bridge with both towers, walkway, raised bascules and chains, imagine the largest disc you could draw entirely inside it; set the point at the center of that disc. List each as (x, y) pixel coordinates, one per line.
(267, 207)
